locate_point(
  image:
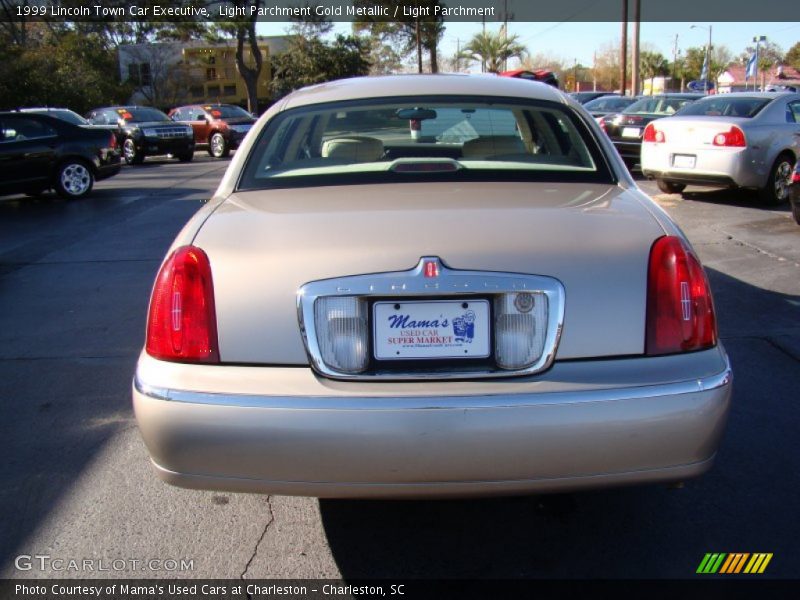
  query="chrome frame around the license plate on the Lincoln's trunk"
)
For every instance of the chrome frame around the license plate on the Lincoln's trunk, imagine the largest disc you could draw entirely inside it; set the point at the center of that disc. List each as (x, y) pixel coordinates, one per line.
(449, 283)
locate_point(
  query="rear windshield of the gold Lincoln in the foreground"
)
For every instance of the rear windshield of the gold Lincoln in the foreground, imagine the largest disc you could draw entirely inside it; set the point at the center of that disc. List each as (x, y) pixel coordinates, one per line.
(426, 138)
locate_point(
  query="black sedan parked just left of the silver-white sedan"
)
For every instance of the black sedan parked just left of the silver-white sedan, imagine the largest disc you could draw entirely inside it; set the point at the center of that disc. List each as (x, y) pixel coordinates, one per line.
(626, 128)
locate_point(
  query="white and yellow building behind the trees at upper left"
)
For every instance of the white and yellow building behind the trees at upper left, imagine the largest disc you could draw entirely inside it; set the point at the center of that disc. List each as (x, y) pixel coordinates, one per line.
(172, 73)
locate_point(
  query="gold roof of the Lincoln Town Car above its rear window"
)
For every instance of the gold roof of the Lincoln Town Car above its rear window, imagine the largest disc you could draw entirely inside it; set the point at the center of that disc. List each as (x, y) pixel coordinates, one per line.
(423, 85)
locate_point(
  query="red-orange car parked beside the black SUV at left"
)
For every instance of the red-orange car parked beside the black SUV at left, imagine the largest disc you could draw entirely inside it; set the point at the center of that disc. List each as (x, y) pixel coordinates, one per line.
(220, 127)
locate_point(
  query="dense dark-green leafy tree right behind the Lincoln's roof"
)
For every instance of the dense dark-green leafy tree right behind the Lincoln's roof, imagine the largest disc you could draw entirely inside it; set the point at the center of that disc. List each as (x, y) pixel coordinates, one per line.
(311, 60)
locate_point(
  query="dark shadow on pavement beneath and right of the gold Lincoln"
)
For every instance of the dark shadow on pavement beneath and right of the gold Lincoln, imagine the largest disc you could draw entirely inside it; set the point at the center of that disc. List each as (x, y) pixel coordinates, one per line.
(746, 503)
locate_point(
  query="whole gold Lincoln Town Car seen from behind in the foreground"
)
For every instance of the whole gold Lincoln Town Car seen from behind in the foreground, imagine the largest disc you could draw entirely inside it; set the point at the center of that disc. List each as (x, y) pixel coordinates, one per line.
(364, 312)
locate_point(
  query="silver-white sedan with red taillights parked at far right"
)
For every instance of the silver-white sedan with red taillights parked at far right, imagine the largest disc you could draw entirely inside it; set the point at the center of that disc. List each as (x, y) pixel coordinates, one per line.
(745, 140)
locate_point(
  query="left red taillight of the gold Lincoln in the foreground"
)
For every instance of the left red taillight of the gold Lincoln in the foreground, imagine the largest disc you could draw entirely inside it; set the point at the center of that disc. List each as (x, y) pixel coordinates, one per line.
(182, 322)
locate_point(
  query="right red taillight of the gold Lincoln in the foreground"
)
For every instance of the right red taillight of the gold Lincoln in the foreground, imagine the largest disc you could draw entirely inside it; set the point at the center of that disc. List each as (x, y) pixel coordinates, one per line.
(680, 309)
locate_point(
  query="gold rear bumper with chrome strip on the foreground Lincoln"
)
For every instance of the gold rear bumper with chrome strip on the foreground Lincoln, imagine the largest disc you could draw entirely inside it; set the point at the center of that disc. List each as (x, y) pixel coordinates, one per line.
(434, 439)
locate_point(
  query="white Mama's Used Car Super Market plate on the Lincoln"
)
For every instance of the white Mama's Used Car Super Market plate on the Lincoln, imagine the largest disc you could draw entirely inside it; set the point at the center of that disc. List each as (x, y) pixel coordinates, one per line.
(431, 330)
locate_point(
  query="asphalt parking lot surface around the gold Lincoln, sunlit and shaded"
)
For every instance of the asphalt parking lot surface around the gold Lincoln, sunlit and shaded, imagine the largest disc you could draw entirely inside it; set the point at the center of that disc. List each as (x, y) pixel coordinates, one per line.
(76, 481)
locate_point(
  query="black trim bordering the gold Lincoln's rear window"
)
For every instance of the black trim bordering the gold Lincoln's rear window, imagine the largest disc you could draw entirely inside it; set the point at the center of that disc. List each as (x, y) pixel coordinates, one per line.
(602, 174)
